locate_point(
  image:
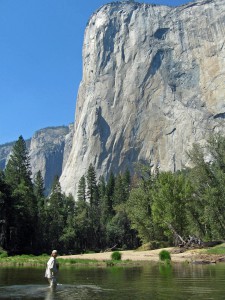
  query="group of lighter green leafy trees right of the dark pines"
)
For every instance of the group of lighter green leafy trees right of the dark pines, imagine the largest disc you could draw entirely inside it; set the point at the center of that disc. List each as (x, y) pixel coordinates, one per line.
(164, 205)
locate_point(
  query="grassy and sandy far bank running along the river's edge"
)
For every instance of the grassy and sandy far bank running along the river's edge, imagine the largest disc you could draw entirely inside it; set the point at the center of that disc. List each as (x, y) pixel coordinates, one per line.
(129, 258)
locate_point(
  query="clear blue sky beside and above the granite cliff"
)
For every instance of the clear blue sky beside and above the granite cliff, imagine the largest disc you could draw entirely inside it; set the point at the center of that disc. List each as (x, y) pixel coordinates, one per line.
(40, 62)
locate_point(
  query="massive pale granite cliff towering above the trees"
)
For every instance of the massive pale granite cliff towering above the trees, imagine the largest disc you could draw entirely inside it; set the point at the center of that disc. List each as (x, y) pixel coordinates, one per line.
(153, 84)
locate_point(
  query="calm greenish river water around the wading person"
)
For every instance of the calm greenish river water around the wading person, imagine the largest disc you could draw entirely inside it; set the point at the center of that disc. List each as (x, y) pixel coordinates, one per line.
(143, 282)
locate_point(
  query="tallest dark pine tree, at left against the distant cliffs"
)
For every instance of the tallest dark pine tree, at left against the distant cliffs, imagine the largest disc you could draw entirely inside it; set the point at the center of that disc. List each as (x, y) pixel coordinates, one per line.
(24, 207)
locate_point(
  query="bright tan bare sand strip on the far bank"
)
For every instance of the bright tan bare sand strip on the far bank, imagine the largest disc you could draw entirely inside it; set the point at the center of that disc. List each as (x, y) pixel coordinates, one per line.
(151, 255)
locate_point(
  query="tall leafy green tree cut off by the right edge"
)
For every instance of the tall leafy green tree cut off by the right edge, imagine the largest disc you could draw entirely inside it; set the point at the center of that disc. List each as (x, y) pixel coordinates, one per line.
(207, 204)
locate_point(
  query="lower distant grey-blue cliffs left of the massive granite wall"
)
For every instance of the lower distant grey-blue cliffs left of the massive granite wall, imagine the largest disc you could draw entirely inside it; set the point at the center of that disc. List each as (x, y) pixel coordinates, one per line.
(48, 150)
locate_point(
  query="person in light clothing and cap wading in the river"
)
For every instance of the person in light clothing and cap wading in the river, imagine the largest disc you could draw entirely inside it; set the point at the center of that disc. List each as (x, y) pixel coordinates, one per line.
(52, 269)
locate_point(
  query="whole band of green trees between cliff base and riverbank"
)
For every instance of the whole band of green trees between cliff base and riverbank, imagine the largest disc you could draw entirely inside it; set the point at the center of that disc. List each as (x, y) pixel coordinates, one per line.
(121, 212)
